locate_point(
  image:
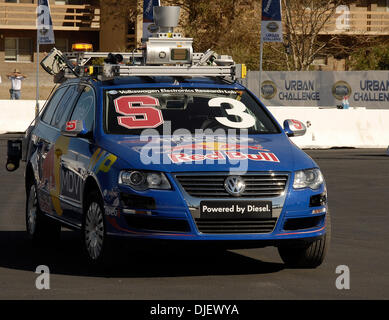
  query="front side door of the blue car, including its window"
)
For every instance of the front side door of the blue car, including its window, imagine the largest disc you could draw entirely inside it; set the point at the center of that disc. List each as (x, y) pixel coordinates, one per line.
(75, 162)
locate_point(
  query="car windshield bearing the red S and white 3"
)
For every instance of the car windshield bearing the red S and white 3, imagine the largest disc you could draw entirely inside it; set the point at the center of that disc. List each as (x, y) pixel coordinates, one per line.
(130, 111)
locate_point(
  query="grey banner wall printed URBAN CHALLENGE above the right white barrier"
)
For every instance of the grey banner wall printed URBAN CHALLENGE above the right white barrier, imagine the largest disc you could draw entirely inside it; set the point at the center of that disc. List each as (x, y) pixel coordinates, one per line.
(368, 89)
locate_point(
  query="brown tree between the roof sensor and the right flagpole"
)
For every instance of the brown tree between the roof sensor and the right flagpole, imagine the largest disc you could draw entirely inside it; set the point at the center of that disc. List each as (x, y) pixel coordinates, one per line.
(227, 26)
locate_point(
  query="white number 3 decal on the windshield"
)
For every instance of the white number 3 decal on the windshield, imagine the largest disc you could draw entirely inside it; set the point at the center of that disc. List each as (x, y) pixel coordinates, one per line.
(238, 109)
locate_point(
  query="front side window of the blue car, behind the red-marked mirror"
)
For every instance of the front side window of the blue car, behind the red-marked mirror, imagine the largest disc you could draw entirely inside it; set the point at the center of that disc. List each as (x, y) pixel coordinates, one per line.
(84, 109)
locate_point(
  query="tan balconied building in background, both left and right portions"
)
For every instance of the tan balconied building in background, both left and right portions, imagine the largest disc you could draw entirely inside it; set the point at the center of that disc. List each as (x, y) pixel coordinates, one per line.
(110, 28)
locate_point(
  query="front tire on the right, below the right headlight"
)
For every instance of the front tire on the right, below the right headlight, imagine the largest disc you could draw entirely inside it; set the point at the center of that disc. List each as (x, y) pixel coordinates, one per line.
(309, 256)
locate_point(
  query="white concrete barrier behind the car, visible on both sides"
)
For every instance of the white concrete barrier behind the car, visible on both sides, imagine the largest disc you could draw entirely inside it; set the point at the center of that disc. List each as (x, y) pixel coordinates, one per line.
(326, 128)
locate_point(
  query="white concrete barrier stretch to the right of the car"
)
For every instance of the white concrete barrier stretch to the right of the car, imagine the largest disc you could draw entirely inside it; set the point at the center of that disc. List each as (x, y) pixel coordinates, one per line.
(327, 128)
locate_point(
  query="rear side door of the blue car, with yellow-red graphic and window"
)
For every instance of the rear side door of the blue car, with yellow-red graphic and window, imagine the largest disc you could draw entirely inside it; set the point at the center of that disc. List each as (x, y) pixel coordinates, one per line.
(48, 141)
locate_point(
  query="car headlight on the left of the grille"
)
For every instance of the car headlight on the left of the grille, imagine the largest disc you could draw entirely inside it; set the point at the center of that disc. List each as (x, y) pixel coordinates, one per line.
(141, 180)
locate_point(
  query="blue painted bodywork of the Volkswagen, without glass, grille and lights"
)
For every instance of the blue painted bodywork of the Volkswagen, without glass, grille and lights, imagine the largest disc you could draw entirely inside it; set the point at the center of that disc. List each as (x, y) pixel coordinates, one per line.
(103, 159)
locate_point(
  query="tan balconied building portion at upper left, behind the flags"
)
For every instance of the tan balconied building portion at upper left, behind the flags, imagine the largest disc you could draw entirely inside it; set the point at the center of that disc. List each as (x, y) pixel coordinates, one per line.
(74, 21)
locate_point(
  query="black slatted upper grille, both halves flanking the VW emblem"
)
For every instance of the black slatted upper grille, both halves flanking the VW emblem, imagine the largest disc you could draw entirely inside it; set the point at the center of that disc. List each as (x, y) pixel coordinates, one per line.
(212, 186)
